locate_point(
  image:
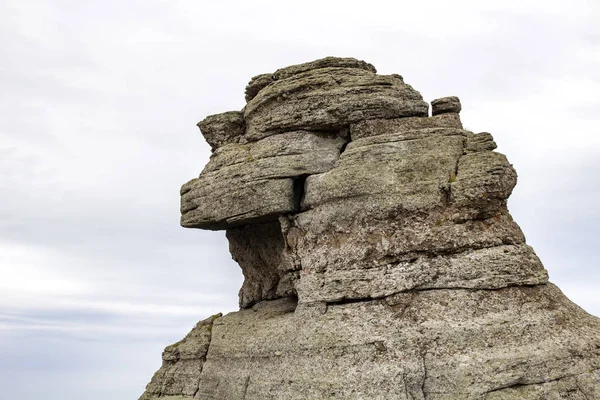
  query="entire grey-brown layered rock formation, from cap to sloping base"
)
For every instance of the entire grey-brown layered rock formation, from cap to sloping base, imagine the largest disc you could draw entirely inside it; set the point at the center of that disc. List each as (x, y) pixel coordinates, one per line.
(379, 256)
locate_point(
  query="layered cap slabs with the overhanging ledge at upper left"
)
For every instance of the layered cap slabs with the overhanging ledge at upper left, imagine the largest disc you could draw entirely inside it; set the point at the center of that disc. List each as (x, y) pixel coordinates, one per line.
(319, 99)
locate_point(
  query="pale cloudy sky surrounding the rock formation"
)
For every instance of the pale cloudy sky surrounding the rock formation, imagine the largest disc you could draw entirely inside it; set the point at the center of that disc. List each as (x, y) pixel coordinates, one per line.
(99, 104)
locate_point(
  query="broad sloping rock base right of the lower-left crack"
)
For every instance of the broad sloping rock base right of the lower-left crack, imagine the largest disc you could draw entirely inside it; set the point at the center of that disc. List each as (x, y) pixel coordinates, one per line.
(434, 344)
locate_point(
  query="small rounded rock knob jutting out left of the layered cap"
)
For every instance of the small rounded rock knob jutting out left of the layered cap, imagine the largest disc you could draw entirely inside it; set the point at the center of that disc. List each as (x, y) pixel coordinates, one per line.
(221, 129)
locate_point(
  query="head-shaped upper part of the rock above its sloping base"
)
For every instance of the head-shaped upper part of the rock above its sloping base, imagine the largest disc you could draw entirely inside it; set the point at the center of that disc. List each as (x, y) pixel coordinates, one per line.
(331, 149)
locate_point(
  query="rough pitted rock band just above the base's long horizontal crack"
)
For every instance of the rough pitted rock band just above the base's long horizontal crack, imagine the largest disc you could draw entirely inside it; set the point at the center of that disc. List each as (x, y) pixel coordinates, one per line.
(346, 257)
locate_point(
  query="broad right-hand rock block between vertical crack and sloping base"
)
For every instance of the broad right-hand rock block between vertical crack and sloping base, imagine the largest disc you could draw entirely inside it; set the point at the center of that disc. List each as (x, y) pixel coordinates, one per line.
(399, 202)
